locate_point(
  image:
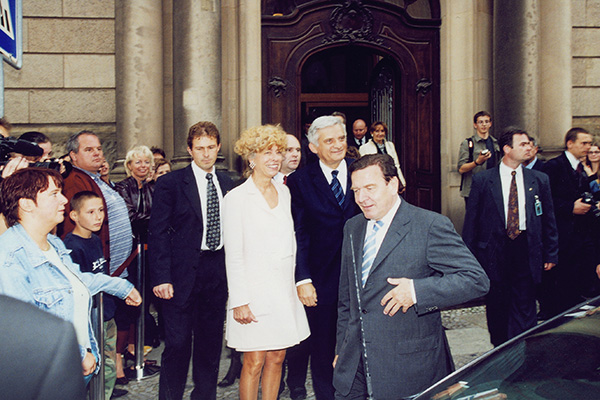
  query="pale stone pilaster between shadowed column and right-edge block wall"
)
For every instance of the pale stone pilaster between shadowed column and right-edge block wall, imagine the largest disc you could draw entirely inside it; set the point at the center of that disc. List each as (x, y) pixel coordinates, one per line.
(555, 108)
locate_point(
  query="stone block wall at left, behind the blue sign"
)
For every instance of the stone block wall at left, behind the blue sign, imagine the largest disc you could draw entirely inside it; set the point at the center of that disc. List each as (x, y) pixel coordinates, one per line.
(67, 82)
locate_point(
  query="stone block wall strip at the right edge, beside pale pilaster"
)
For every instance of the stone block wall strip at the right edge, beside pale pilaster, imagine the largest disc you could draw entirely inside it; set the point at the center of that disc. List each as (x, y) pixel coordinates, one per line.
(586, 64)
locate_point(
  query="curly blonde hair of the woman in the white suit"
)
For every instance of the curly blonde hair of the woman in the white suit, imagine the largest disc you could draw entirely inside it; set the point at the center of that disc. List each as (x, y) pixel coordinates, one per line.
(259, 138)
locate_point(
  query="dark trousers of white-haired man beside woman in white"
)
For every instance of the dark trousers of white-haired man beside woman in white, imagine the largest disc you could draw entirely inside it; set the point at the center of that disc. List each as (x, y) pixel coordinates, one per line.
(323, 324)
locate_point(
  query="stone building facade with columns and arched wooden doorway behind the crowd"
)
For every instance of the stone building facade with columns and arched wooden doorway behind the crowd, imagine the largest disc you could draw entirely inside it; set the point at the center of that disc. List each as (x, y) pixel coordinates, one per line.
(143, 71)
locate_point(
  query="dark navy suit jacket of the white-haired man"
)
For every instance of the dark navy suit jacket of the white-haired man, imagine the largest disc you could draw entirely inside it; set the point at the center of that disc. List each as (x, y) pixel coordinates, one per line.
(319, 222)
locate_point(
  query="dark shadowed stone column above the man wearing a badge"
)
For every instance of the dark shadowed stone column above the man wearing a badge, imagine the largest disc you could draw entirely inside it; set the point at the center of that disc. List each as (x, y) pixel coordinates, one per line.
(516, 77)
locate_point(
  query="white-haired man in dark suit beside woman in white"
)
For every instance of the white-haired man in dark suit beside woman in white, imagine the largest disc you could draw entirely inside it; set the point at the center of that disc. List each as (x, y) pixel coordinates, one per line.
(322, 202)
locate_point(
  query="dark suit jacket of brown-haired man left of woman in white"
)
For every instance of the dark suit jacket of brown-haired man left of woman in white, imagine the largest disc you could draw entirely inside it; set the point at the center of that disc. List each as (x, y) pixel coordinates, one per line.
(175, 232)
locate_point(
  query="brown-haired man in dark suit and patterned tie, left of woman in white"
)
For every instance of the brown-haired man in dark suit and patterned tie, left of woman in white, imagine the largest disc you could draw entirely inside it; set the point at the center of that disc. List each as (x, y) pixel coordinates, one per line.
(187, 266)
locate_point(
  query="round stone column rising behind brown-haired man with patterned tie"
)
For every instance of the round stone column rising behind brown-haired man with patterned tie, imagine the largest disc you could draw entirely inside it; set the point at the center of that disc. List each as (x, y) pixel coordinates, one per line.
(196, 67)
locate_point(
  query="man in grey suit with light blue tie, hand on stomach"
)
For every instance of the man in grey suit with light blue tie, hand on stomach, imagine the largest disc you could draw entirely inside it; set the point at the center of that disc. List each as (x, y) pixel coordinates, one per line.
(396, 257)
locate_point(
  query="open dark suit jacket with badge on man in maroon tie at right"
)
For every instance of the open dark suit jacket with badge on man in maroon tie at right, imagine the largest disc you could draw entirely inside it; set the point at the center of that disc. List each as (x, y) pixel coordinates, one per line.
(485, 228)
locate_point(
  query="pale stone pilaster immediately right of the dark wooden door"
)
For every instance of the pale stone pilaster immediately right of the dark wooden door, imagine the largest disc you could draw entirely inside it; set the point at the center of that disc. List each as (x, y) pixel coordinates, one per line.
(466, 80)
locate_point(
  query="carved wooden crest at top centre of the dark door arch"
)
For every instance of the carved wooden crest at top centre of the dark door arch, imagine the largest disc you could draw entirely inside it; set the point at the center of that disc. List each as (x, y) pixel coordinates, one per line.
(353, 22)
